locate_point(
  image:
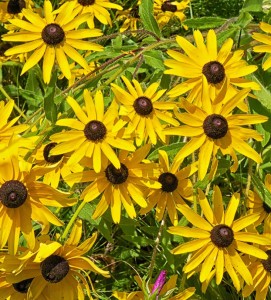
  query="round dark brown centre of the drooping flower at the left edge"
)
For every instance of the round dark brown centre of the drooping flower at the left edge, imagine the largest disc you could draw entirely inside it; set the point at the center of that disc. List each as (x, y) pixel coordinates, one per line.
(13, 193)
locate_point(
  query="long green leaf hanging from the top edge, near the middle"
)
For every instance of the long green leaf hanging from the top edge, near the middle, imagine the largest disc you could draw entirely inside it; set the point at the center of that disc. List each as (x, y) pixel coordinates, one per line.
(147, 18)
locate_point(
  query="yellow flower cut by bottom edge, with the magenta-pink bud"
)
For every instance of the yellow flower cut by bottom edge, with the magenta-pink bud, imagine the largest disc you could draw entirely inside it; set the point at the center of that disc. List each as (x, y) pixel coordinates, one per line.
(160, 289)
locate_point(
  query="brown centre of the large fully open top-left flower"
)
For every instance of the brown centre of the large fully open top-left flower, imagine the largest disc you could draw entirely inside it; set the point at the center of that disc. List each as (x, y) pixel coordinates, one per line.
(52, 34)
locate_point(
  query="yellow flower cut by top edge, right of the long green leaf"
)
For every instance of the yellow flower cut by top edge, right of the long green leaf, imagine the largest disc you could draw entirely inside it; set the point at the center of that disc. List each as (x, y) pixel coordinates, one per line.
(165, 10)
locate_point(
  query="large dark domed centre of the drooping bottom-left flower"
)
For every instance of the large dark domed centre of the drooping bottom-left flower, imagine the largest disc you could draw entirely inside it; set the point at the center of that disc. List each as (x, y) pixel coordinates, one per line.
(54, 268)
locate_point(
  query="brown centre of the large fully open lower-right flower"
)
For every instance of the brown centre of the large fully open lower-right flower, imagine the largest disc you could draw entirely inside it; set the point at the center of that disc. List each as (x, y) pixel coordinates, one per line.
(222, 236)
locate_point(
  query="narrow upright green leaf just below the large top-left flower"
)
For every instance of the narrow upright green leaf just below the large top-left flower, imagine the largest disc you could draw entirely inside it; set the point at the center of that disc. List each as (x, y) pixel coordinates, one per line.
(49, 104)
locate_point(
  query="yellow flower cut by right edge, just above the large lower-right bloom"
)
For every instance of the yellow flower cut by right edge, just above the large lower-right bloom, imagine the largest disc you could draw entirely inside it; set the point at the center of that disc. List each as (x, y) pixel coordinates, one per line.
(257, 205)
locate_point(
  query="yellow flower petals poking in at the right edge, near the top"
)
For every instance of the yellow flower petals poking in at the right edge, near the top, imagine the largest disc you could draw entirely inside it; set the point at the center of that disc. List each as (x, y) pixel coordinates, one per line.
(266, 40)
